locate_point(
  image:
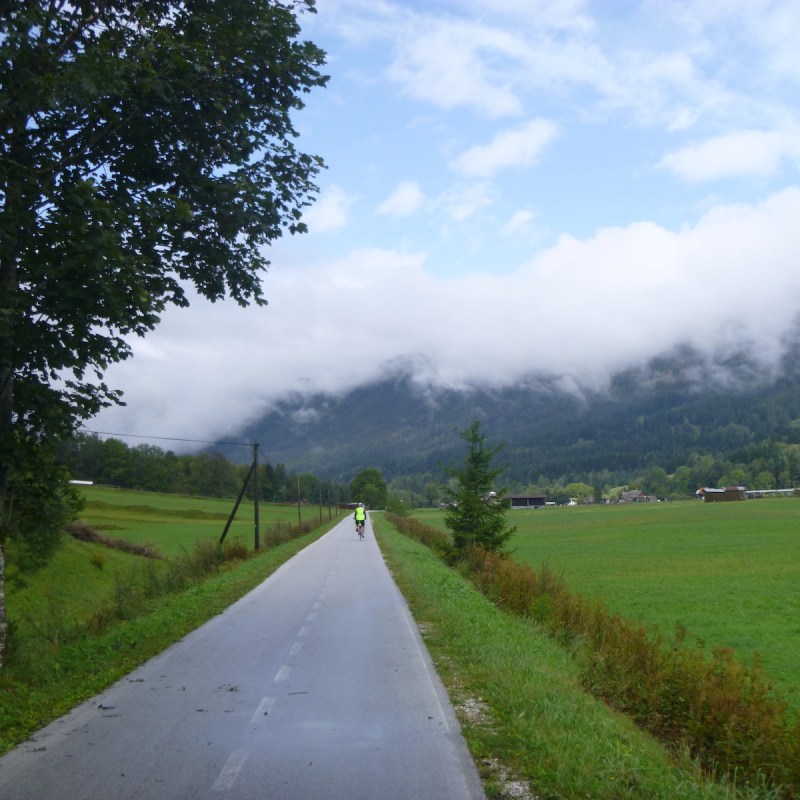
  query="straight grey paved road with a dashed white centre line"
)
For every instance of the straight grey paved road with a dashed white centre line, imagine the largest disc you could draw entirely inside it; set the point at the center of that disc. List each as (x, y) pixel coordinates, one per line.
(314, 685)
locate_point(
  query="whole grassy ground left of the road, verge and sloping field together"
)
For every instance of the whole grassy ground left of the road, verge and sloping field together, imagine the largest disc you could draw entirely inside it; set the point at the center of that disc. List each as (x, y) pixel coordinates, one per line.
(94, 613)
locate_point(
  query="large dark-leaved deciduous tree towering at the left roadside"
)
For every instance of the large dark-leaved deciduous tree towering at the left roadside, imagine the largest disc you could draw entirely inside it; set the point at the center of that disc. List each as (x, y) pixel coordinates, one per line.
(145, 148)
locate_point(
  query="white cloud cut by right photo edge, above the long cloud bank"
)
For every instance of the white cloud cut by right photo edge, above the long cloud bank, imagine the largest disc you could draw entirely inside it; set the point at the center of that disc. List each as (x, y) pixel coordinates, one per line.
(741, 153)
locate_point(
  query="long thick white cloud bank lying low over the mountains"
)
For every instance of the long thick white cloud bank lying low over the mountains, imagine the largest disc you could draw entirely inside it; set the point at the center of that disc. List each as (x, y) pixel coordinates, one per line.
(580, 309)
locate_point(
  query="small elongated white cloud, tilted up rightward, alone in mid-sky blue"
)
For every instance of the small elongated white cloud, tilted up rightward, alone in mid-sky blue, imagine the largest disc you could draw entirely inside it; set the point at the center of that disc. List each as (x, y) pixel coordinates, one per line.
(521, 146)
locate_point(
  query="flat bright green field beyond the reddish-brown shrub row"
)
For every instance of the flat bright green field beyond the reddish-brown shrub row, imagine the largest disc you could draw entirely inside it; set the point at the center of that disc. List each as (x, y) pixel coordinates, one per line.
(729, 572)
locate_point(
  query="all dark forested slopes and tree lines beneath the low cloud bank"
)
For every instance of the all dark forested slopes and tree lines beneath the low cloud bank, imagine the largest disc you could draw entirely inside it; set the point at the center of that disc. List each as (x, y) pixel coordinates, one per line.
(666, 428)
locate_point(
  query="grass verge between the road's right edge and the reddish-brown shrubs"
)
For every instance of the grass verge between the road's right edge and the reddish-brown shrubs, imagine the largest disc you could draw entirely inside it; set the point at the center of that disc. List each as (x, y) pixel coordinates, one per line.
(520, 698)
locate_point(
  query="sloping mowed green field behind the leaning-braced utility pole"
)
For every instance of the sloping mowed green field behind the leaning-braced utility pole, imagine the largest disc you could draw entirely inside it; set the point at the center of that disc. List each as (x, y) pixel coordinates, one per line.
(171, 523)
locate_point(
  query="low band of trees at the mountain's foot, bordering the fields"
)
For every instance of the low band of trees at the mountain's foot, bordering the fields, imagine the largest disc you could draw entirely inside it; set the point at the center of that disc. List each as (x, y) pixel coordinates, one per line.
(770, 464)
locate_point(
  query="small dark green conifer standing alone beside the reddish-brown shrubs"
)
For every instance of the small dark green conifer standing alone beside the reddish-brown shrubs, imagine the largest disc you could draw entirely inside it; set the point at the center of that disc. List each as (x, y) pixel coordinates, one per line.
(476, 516)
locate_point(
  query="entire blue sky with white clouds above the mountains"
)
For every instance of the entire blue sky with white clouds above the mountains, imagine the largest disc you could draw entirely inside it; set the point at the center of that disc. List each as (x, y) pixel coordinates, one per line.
(562, 187)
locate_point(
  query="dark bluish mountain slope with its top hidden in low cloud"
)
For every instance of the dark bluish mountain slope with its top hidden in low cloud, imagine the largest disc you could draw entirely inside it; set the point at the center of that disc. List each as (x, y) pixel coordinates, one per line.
(660, 413)
